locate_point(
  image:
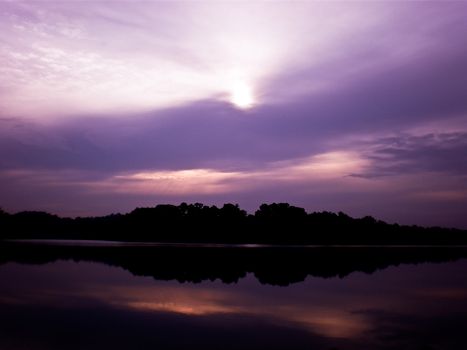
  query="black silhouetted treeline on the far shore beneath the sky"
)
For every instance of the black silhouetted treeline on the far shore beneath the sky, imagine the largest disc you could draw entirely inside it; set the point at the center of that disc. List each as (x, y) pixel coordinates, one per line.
(277, 223)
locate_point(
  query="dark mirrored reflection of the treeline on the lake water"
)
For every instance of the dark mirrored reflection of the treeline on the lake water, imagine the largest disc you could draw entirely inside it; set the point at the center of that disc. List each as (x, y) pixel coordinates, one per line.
(270, 265)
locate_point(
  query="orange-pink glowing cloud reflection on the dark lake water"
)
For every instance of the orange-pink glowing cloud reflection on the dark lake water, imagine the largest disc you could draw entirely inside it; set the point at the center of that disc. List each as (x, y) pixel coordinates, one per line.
(201, 301)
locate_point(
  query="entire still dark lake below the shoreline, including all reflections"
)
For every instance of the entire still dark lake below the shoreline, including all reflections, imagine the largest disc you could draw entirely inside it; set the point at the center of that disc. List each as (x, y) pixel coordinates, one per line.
(148, 297)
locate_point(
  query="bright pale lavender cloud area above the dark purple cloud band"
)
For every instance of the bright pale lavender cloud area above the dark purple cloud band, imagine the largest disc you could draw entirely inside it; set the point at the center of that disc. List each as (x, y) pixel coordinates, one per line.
(70, 59)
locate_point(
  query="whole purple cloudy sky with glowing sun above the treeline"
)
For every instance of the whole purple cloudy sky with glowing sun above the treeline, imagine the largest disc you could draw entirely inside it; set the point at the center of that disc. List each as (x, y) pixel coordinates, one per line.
(352, 106)
